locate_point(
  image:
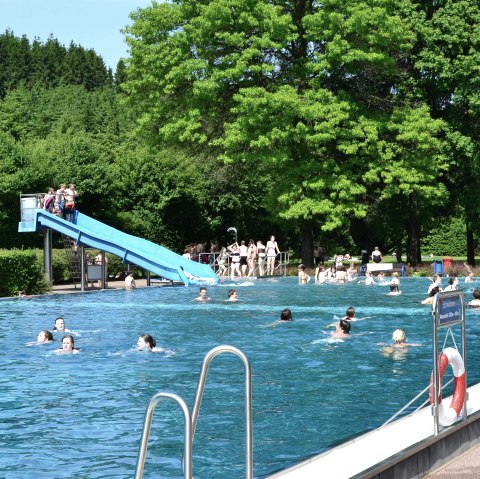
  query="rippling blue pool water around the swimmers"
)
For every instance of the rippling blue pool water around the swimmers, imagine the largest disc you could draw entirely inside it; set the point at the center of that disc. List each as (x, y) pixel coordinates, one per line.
(80, 416)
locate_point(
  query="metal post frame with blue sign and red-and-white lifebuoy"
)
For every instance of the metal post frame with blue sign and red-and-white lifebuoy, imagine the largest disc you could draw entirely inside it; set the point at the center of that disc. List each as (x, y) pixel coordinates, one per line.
(448, 310)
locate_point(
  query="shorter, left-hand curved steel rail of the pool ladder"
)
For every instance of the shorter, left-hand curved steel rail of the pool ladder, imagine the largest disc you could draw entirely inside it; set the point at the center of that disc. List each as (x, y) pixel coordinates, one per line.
(188, 436)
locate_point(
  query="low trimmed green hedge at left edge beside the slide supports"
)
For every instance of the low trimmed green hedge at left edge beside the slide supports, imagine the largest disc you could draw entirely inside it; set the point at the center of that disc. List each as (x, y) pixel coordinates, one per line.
(20, 270)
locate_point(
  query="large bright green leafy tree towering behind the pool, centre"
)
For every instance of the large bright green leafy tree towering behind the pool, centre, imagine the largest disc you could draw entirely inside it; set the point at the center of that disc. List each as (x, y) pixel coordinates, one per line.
(307, 89)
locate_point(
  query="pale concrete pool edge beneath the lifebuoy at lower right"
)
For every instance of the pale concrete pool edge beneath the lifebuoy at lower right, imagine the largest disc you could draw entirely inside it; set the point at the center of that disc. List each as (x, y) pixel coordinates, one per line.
(405, 448)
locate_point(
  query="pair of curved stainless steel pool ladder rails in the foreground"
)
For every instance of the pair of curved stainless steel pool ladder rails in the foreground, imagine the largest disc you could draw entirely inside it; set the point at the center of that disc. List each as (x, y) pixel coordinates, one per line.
(190, 420)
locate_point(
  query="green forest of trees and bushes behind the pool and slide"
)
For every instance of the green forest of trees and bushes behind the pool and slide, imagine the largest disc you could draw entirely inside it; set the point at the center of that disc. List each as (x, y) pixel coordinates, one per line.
(349, 124)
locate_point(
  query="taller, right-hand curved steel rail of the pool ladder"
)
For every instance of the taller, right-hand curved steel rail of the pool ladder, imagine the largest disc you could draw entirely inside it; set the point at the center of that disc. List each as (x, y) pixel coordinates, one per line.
(248, 399)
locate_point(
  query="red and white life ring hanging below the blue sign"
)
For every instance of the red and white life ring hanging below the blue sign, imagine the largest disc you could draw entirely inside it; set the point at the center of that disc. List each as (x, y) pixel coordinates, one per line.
(447, 416)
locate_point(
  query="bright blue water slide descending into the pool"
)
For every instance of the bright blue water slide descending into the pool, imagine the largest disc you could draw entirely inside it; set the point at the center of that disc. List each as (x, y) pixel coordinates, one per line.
(89, 232)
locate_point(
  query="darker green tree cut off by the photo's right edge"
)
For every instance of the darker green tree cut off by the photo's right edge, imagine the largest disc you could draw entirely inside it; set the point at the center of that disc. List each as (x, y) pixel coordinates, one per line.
(446, 75)
